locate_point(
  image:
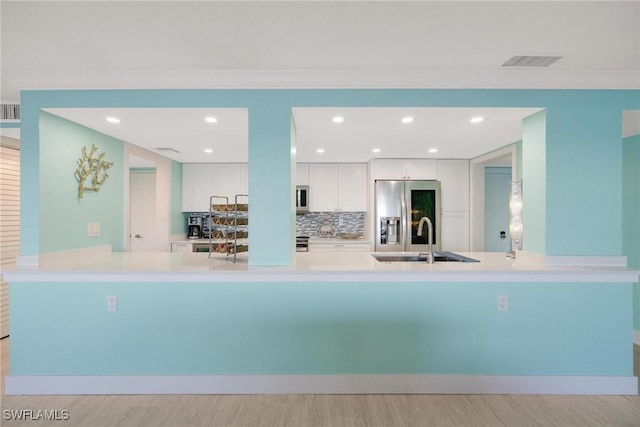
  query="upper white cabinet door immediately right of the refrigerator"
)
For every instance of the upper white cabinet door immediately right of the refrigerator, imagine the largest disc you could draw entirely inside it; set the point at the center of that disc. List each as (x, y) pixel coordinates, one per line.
(454, 183)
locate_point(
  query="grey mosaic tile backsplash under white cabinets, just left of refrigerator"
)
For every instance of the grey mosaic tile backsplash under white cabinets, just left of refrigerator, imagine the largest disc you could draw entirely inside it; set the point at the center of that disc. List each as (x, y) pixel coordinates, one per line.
(340, 222)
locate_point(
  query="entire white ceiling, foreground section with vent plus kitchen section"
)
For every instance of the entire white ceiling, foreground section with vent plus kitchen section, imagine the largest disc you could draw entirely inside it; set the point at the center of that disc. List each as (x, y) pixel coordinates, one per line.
(215, 44)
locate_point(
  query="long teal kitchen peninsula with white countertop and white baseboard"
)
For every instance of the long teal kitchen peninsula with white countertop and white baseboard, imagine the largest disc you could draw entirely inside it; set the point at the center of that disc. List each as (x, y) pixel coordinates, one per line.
(331, 322)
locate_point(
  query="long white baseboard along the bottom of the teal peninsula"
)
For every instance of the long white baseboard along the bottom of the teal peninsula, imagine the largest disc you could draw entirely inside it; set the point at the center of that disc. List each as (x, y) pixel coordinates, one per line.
(321, 384)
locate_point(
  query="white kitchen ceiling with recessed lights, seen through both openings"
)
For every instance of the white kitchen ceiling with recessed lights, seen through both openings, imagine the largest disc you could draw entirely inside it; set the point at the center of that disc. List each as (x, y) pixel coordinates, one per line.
(186, 131)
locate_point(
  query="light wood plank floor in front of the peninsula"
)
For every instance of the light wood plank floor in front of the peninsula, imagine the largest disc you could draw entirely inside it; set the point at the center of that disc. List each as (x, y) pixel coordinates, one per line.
(328, 410)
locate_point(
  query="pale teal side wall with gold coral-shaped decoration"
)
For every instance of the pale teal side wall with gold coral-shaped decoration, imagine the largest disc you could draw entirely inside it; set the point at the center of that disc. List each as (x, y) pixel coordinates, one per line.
(64, 217)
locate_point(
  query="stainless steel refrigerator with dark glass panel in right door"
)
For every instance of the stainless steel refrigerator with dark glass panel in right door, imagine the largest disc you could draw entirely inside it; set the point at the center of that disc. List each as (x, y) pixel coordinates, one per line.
(399, 206)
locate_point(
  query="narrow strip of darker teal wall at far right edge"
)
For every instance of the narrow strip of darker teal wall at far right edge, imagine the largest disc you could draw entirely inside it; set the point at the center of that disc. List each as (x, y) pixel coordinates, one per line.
(631, 213)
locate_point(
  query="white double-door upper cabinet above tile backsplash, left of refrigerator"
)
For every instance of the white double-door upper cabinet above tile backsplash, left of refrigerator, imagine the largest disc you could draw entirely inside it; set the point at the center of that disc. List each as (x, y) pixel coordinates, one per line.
(338, 187)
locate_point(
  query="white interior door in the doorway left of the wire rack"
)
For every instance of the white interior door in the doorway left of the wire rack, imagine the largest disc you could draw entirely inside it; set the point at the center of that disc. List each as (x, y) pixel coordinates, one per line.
(143, 211)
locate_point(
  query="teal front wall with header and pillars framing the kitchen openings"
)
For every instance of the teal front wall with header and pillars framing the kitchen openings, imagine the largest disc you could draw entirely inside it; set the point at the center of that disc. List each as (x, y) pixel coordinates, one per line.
(582, 135)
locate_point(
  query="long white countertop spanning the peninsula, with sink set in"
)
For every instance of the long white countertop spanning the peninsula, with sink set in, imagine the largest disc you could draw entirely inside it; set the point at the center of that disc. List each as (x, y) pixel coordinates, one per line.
(309, 266)
